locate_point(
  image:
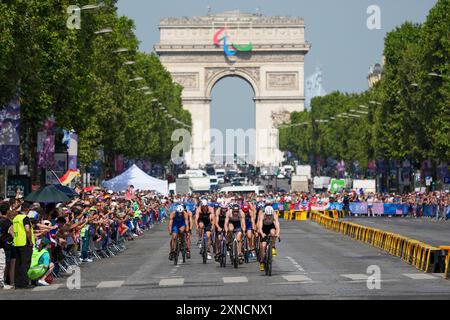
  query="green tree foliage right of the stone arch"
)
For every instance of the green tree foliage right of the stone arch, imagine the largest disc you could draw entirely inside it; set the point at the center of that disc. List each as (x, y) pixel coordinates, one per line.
(411, 116)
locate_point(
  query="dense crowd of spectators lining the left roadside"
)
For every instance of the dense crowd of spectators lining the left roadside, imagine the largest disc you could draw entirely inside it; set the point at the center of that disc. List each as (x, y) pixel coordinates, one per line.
(36, 237)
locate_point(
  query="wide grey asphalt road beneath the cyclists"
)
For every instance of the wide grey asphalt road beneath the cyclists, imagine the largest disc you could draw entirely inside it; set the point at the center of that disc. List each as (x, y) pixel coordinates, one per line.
(312, 263)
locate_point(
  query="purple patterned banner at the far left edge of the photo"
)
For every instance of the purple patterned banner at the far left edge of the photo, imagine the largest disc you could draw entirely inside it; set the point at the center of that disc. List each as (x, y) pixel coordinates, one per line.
(9, 133)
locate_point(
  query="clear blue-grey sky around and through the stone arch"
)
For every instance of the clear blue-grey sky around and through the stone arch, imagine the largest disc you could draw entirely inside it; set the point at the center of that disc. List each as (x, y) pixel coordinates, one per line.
(341, 42)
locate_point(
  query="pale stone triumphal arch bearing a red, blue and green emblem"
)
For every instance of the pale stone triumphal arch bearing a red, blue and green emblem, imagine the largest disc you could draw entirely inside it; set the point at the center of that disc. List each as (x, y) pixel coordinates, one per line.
(273, 65)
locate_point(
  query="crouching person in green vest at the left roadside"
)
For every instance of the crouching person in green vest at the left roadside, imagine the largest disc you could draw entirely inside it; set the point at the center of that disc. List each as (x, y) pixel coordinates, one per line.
(41, 267)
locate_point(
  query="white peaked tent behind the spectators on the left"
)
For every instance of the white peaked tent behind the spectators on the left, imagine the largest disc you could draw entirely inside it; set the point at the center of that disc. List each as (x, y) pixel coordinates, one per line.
(139, 179)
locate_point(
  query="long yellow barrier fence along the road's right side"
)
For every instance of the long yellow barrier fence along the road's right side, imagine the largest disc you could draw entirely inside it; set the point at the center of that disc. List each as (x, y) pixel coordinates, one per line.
(423, 256)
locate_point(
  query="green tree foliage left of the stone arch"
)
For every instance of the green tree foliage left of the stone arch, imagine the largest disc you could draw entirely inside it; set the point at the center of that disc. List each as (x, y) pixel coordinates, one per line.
(79, 77)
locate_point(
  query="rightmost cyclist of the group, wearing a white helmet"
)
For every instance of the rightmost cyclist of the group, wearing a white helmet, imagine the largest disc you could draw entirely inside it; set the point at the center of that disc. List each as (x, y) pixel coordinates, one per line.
(268, 225)
